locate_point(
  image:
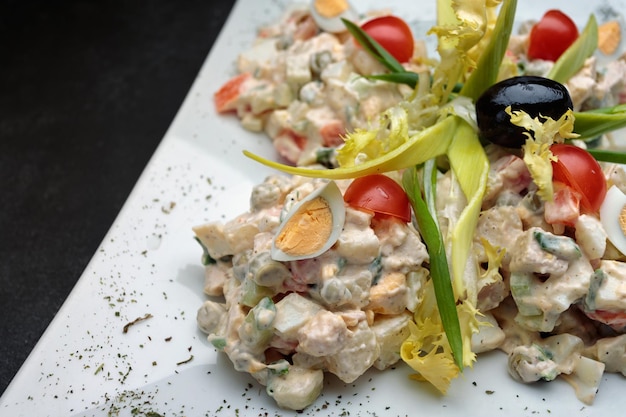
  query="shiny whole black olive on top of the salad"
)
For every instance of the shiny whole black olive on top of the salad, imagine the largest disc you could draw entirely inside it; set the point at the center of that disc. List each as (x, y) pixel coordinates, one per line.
(534, 95)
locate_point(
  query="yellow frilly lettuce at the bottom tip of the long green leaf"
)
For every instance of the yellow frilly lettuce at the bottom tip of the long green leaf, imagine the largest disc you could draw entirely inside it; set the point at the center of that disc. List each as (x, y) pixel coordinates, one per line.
(427, 350)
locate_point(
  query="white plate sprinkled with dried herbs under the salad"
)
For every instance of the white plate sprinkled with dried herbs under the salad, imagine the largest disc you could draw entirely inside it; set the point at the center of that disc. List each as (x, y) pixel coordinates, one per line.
(149, 263)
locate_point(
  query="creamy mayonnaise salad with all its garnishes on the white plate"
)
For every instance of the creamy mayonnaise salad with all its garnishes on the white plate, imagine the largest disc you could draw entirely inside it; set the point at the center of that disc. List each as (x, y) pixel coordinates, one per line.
(386, 242)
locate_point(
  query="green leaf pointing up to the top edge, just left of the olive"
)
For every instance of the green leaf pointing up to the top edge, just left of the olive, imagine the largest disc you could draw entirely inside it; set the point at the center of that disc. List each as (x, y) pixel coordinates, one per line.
(486, 72)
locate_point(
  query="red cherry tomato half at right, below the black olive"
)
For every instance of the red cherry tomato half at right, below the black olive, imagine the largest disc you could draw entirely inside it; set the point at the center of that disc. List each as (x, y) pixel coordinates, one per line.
(579, 170)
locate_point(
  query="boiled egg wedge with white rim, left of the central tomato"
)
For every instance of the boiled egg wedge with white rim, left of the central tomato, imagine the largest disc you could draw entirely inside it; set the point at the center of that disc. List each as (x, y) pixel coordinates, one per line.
(311, 226)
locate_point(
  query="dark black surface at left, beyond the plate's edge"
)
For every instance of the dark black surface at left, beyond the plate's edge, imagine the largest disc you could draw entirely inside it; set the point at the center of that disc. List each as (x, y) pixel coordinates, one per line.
(87, 91)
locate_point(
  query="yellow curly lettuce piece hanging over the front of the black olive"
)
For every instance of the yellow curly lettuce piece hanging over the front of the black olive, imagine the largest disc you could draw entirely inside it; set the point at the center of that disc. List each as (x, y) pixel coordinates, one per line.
(542, 132)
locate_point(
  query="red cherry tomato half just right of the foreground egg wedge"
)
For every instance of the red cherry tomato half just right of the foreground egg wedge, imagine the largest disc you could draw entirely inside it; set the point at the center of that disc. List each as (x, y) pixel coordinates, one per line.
(379, 194)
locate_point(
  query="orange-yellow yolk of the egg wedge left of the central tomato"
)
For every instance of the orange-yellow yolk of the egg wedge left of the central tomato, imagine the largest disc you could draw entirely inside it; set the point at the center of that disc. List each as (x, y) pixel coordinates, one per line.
(307, 230)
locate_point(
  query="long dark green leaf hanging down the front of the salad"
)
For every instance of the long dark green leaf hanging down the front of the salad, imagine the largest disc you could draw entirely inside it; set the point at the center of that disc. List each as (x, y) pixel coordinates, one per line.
(440, 274)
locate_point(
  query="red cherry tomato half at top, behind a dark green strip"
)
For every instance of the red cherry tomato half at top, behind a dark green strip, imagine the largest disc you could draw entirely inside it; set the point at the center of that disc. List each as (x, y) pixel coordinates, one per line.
(393, 34)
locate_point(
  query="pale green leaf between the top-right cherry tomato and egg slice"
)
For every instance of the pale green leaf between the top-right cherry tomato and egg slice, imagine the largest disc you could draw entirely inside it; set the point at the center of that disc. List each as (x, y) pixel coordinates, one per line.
(574, 57)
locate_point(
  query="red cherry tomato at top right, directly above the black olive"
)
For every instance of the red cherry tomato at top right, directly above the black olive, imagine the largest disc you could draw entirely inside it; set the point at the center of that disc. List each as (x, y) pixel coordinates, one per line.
(551, 36)
